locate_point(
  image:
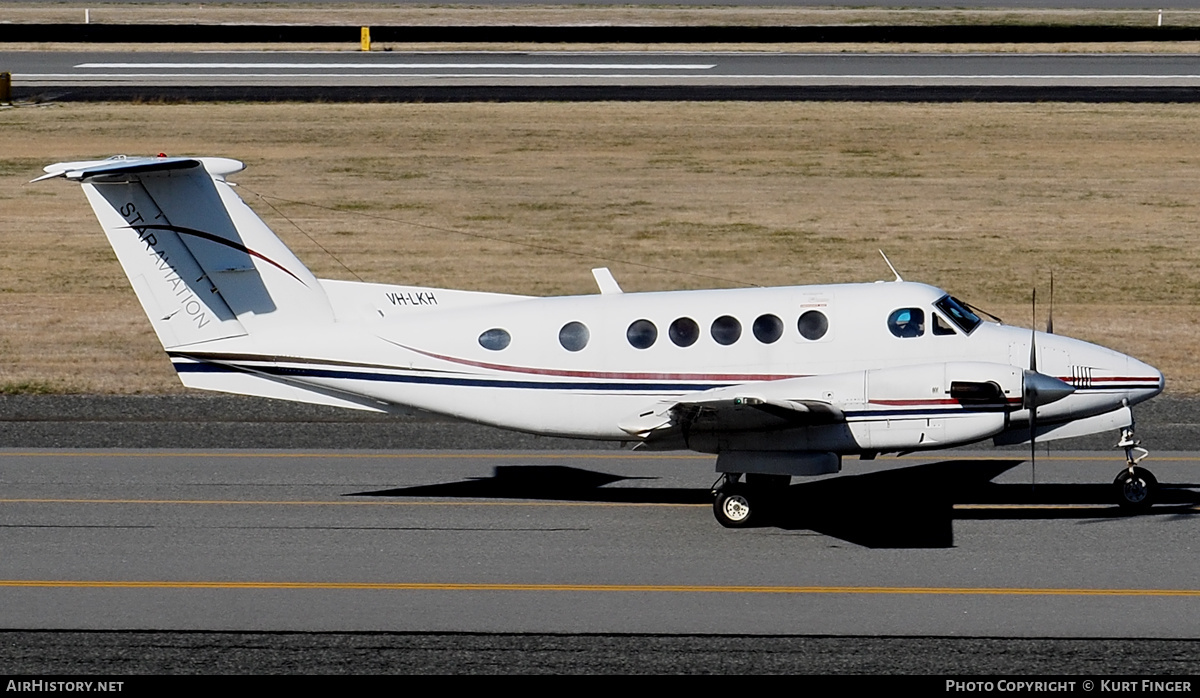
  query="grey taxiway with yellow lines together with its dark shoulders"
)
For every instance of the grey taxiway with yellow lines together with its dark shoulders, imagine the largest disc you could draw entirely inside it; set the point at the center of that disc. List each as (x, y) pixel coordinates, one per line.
(331, 541)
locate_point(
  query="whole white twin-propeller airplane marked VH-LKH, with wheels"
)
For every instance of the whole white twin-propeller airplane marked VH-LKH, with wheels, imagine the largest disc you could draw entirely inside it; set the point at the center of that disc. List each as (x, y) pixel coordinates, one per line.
(776, 382)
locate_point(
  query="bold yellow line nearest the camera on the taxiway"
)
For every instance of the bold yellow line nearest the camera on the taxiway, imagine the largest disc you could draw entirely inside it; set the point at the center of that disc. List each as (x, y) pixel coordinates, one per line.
(604, 588)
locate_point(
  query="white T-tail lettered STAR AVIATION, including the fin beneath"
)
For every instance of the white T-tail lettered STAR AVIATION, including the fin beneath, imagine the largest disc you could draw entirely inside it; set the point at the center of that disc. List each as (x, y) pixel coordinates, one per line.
(205, 267)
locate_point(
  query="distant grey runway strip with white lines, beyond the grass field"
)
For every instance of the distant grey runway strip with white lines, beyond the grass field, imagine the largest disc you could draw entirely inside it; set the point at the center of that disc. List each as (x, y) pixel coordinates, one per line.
(581, 69)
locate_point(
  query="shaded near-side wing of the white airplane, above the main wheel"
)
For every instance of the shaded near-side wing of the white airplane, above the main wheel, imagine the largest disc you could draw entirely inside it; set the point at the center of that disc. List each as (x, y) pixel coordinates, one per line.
(734, 414)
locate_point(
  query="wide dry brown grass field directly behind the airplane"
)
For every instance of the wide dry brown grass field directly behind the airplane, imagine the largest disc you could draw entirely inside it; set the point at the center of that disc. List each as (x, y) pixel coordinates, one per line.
(979, 200)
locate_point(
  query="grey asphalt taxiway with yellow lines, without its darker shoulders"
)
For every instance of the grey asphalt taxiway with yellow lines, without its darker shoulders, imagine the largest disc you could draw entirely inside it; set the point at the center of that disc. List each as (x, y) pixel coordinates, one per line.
(587, 543)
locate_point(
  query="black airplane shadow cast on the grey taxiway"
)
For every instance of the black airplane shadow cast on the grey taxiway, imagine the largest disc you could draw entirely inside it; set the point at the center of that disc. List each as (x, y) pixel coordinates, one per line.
(902, 508)
